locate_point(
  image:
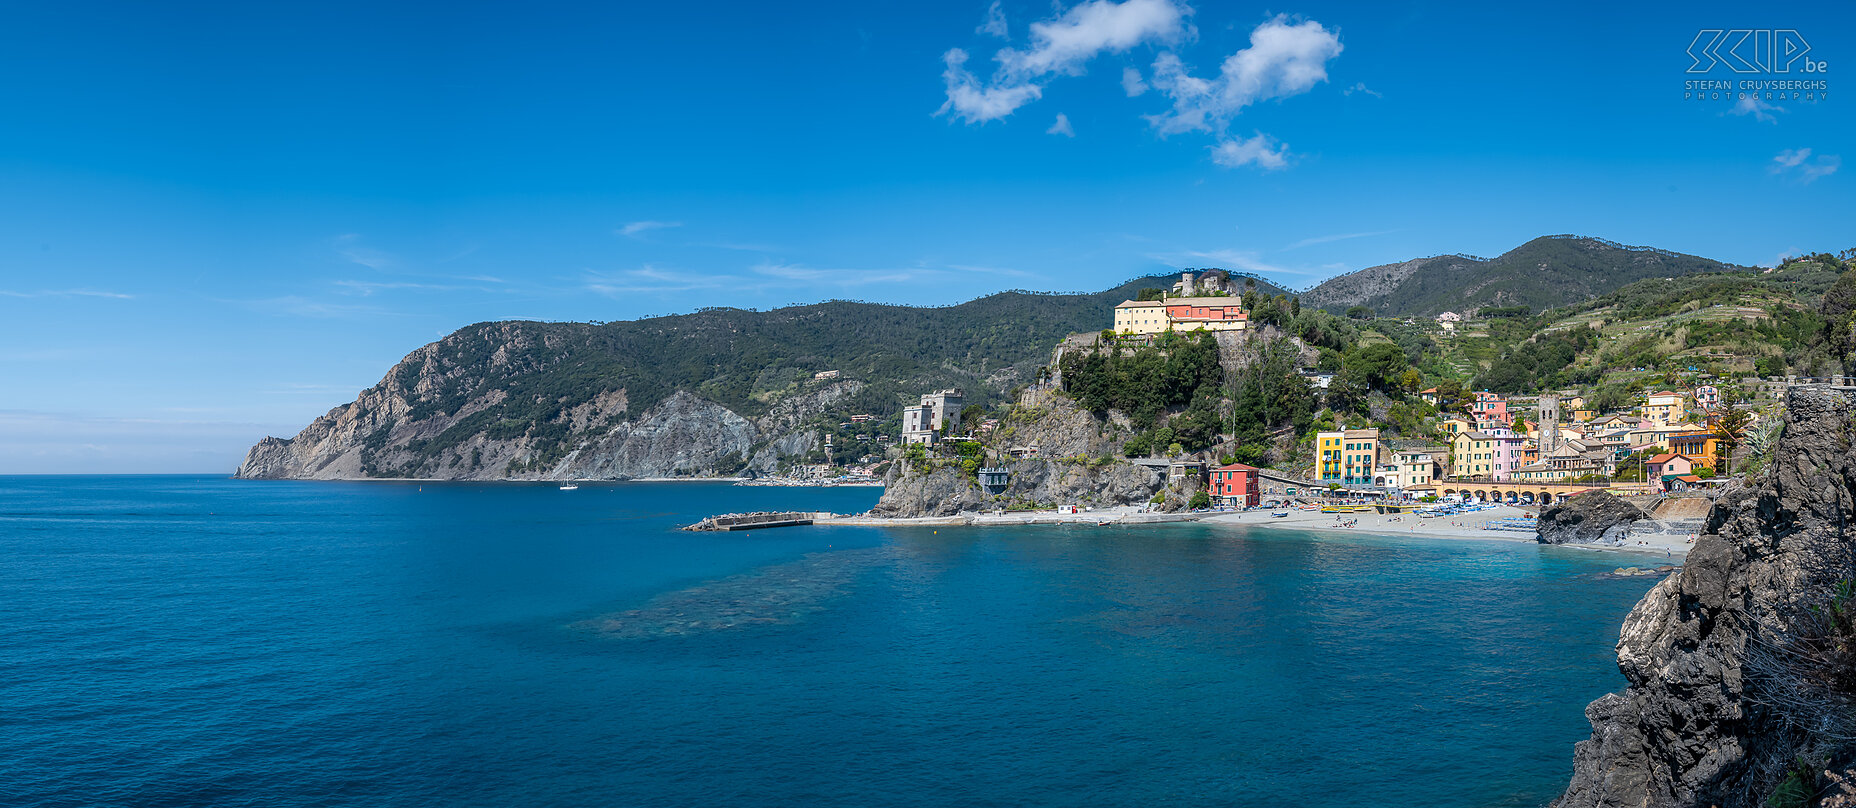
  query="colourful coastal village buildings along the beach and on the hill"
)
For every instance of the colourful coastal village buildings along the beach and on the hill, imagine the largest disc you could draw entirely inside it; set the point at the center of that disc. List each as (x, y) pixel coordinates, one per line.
(1679, 439)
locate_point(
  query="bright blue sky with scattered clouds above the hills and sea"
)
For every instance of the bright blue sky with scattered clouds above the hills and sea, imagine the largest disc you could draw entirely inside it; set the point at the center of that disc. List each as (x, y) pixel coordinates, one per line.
(220, 222)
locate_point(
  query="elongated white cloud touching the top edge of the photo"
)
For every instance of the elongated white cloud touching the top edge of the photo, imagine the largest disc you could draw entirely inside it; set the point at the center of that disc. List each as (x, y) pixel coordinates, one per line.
(1059, 46)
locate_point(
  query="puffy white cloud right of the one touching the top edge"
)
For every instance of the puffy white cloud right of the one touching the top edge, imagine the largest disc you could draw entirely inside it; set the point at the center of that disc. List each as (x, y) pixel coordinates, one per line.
(1285, 59)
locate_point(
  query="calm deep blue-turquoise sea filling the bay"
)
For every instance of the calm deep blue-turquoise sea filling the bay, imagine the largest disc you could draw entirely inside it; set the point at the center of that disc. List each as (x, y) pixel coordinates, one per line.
(194, 642)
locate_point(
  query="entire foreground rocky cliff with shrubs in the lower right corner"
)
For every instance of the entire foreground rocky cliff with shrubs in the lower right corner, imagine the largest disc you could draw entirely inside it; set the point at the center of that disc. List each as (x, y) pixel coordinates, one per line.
(1742, 666)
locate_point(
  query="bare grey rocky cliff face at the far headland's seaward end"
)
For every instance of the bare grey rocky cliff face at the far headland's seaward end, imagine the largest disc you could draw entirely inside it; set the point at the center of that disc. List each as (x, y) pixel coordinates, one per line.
(446, 413)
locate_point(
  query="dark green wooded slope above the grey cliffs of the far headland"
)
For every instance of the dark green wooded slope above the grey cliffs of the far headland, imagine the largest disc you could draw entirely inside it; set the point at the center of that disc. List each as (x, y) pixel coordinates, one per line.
(747, 361)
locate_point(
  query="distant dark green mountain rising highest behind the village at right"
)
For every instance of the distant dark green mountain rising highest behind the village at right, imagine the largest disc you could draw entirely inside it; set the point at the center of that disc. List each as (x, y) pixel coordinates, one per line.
(1543, 274)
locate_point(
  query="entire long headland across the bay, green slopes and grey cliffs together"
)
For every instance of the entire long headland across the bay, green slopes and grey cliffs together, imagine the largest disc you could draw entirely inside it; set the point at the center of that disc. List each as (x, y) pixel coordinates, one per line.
(522, 398)
